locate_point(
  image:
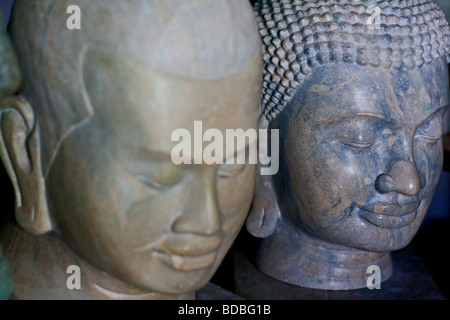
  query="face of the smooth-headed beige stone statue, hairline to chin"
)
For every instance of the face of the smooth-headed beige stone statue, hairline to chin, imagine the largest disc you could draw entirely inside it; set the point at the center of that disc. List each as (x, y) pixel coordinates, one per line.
(116, 197)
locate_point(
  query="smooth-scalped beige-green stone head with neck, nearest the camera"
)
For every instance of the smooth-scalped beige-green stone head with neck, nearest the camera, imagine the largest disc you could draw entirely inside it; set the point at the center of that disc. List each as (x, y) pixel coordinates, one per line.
(87, 143)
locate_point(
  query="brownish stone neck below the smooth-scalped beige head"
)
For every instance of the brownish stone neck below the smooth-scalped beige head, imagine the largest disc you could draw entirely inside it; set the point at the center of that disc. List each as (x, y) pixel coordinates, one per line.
(40, 264)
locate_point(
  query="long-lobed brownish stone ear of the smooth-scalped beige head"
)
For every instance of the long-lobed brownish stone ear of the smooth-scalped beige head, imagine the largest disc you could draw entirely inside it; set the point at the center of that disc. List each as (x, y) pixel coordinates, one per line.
(21, 154)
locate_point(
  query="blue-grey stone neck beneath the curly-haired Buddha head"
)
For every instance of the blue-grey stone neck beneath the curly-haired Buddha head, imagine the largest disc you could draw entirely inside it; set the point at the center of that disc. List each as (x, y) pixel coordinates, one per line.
(293, 256)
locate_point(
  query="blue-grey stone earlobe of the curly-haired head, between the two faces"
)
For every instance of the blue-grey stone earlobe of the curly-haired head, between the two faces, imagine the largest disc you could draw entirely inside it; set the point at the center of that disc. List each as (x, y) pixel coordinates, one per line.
(264, 214)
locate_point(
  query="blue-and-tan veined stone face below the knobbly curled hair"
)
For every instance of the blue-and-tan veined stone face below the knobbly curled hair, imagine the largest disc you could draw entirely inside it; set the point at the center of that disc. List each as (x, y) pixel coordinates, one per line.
(361, 153)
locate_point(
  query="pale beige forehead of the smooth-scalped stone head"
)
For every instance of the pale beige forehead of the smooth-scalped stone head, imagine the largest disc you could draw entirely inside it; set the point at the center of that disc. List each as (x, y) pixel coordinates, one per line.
(143, 106)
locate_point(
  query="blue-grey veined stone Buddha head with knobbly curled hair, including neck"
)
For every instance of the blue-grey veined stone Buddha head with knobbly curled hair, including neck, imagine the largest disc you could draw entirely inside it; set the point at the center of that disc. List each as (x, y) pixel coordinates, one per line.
(358, 90)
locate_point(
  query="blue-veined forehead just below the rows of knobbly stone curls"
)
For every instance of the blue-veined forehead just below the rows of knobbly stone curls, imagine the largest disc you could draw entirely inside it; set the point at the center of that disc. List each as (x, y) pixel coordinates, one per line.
(408, 96)
